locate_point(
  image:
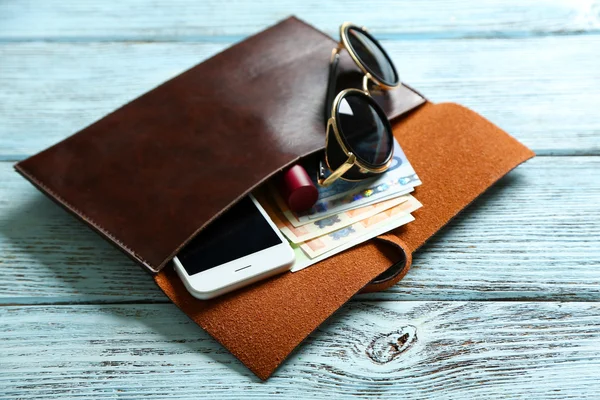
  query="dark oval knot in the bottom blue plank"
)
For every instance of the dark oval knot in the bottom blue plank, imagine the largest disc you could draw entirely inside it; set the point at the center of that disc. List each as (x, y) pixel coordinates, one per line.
(385, 348)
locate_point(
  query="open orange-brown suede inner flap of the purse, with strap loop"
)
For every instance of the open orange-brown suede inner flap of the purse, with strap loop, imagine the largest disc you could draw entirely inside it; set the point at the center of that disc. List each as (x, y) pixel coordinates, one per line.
(456, 153)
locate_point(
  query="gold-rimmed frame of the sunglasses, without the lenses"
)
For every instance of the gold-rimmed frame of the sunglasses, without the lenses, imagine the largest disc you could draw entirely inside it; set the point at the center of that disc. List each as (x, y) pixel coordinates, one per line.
(332, 124)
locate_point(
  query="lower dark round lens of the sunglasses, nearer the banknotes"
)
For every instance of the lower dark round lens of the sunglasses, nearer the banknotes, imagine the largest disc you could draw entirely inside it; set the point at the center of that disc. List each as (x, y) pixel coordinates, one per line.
(364, 129)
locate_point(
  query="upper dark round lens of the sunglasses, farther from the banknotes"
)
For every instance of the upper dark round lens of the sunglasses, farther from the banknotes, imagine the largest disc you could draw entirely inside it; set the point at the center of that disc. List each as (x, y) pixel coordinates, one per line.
(372, 56)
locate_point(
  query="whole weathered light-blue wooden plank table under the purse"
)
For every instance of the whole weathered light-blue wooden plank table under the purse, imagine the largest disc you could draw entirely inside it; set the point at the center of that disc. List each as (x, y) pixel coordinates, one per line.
(504, 302)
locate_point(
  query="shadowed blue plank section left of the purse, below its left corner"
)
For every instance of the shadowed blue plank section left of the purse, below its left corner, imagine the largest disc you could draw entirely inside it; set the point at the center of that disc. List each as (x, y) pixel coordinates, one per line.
(54, 256)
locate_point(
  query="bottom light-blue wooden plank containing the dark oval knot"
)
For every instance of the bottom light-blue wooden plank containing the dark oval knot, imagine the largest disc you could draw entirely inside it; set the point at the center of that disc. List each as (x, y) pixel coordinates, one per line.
(433, 350)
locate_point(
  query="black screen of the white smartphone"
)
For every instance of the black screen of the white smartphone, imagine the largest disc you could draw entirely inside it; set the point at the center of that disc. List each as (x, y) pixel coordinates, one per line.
(240, 231)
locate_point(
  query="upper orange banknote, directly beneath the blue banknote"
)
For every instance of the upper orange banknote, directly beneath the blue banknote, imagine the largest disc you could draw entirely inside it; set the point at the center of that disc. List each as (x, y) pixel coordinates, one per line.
(325, 225)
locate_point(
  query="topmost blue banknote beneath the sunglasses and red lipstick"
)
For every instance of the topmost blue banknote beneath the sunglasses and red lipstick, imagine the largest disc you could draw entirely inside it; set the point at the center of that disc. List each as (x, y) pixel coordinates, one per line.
(341, 195)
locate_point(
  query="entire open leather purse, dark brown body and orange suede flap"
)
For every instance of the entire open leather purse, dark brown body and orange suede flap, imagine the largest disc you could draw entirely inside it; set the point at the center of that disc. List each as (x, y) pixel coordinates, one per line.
(152, 174)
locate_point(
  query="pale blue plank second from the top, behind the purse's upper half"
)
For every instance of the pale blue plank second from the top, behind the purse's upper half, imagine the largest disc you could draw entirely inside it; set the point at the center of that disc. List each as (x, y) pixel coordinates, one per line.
(549, 101)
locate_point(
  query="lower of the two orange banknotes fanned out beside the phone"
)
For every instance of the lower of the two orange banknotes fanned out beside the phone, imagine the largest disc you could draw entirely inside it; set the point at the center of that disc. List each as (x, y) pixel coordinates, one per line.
(325, 243)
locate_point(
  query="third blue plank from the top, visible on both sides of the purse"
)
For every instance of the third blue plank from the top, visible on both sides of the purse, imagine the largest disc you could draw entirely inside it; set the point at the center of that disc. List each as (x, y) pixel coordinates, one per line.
(535, 235)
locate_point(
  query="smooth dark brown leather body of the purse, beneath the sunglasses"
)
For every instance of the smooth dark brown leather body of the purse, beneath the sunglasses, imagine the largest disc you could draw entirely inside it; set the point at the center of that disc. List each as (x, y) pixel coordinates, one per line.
(153, 173)
